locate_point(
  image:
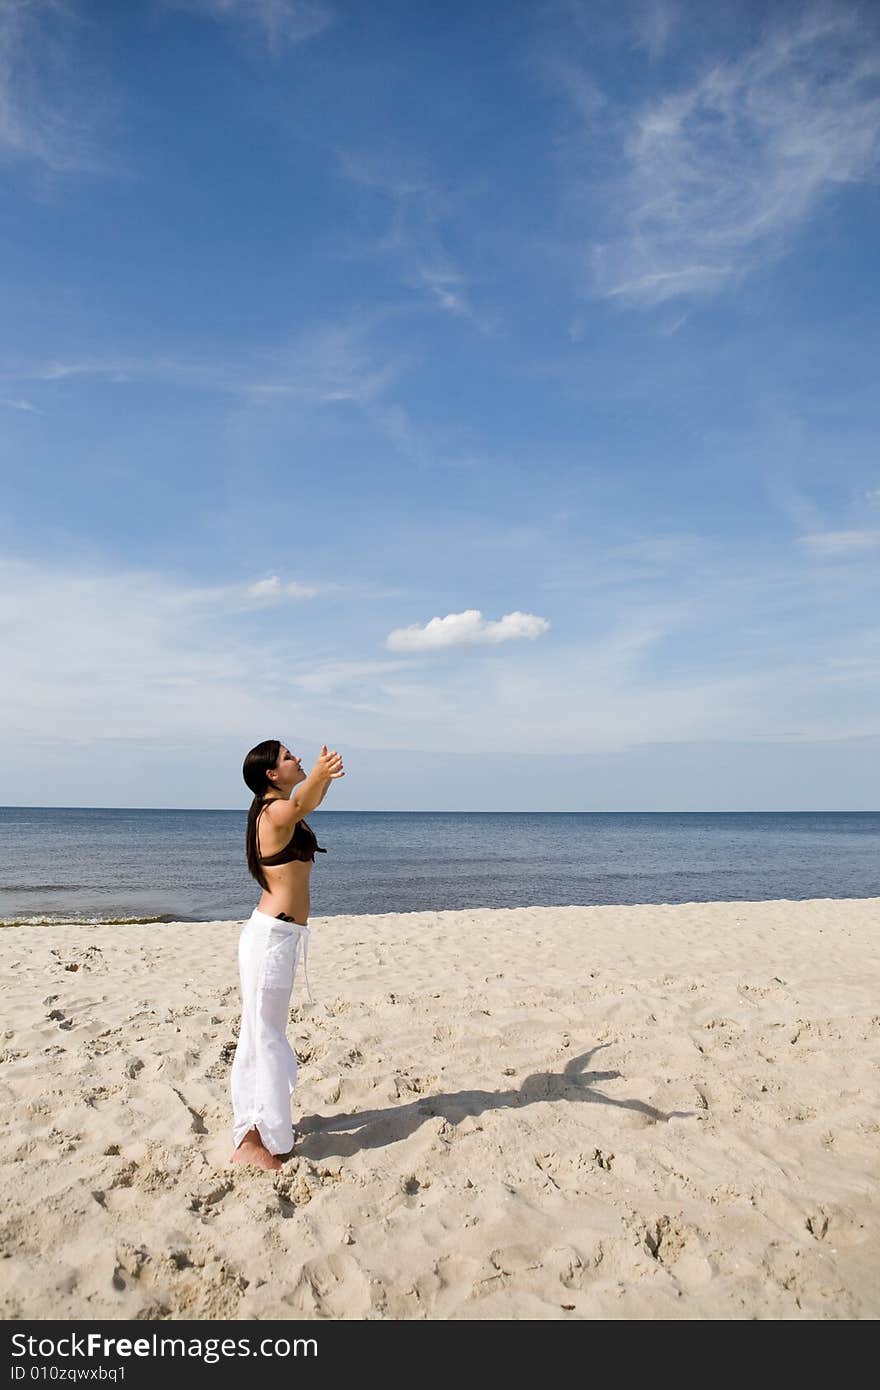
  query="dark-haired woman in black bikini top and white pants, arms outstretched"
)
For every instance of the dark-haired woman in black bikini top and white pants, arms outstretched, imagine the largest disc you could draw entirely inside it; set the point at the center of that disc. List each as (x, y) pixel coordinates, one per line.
(282, 851)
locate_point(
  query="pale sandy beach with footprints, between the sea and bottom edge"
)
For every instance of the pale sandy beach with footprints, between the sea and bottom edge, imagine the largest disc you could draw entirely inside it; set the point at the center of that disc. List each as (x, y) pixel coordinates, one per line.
(544, 1113)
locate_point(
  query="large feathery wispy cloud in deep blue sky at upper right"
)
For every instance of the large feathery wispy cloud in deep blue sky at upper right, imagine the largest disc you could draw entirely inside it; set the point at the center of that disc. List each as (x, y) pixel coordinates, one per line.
(719, 176)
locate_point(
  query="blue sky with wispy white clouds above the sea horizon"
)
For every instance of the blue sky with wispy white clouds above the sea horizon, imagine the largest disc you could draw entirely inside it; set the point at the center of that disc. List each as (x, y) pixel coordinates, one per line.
(489, 391)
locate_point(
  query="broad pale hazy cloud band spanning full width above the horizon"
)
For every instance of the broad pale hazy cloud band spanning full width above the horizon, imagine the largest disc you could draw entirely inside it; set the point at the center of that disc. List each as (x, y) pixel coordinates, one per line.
(136, 653)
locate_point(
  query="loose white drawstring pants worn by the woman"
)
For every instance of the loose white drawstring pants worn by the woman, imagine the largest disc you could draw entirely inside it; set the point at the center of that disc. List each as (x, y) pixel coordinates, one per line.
(265, 1067)
